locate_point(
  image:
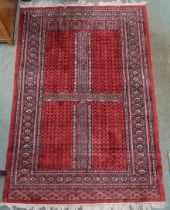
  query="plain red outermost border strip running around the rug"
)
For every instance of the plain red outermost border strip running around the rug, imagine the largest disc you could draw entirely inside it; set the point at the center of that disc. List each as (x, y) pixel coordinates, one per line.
(153, 99)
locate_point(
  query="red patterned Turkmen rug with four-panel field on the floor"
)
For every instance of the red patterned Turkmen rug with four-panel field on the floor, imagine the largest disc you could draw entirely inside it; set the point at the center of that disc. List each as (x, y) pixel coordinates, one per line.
(84, 127)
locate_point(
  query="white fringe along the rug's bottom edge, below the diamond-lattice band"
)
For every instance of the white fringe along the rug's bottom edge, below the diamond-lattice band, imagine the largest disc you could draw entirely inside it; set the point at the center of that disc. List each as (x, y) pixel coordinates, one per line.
(114, 206)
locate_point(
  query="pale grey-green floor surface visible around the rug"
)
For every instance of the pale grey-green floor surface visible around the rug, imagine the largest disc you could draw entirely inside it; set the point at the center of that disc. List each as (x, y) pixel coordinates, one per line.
(159, 22)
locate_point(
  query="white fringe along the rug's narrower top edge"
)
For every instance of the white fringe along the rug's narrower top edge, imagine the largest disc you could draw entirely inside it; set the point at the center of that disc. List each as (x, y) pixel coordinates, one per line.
(41, 3)
